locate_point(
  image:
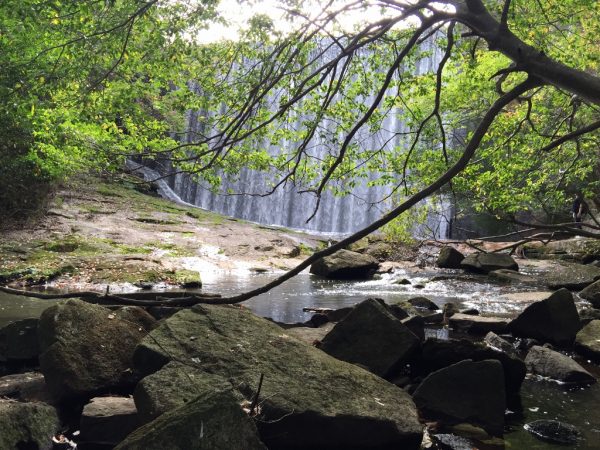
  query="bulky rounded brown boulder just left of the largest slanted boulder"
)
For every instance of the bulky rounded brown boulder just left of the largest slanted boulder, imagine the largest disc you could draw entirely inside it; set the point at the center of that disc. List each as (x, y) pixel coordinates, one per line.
(88, 349)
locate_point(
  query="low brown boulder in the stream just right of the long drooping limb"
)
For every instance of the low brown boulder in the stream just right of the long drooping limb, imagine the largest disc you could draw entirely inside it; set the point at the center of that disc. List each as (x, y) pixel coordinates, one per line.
(345, 265)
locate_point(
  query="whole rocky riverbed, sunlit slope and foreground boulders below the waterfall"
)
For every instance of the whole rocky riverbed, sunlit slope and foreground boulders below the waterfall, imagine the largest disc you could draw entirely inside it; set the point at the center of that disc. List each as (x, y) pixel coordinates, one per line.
(417, 370)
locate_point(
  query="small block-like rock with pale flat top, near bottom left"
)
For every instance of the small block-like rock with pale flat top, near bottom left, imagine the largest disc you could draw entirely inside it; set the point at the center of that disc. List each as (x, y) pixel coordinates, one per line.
(106, 421)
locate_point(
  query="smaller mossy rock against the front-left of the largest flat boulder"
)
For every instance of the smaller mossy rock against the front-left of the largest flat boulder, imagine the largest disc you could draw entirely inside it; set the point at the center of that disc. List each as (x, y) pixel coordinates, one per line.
(172, 386)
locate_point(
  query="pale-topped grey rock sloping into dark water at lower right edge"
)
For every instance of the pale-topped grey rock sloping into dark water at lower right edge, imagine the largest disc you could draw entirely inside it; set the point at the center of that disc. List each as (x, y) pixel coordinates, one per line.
(549, 363)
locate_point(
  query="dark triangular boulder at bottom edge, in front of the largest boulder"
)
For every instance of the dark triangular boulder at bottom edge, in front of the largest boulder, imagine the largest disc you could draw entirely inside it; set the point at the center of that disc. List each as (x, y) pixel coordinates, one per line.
(213, 421)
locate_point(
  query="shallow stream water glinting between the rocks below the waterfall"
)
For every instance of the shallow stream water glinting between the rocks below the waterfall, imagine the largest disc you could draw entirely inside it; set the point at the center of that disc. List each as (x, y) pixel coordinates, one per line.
(540, 399)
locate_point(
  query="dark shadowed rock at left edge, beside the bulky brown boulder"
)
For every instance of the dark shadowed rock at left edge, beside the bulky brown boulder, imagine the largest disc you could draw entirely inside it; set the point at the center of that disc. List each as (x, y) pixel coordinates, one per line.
(19, 340)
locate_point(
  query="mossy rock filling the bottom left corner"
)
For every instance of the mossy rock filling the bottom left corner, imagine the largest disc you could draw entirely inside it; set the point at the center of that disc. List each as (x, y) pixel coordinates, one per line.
(27, 425)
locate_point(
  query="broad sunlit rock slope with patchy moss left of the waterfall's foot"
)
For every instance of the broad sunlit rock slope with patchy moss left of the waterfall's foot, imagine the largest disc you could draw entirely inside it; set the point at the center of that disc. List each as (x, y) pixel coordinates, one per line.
(98, 232)
